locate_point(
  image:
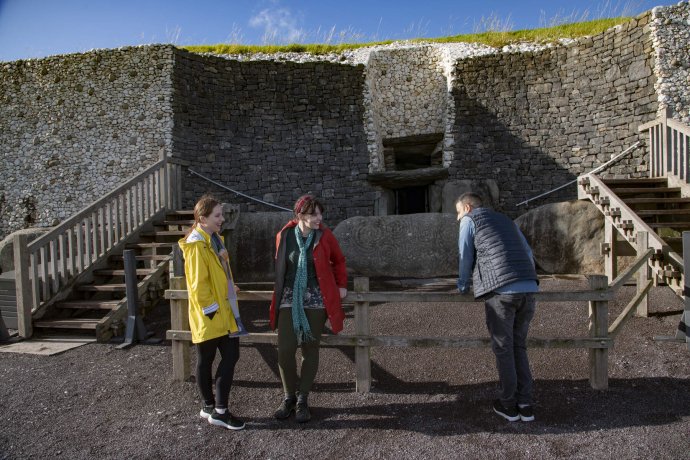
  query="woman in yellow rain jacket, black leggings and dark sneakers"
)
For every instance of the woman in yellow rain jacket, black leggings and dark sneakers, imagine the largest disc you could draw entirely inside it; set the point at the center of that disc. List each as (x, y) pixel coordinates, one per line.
(213, 316)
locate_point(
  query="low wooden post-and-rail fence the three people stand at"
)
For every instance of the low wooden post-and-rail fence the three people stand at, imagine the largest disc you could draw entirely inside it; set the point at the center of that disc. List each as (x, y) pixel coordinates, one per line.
(599, 340)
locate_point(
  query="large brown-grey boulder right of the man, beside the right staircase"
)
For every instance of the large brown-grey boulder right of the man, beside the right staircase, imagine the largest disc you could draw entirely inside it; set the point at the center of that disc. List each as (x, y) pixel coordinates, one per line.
(565, 237)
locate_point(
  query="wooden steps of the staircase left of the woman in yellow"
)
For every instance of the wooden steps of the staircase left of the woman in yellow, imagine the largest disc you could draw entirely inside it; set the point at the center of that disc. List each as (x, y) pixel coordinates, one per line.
(100, 305)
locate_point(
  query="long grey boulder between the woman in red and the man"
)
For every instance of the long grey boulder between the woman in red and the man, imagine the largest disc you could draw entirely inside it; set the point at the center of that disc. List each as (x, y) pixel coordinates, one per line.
(405, 246)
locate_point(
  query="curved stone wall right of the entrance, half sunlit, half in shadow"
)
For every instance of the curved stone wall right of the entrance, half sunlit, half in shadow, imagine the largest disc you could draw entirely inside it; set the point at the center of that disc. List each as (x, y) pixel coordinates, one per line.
(534, 121)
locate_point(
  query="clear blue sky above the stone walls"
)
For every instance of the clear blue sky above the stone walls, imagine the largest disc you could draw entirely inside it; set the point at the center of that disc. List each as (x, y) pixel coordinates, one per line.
(38, 28)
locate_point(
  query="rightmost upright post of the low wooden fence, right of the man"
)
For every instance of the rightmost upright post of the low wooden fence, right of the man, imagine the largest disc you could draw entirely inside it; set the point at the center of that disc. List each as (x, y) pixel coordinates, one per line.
(598, 327)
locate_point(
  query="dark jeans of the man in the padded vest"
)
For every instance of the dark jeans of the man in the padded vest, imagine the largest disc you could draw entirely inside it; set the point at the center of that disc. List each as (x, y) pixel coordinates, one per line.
(507, 318)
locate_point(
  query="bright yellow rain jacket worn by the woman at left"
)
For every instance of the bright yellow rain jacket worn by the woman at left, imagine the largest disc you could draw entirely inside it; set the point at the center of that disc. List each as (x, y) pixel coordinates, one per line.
(207, 285)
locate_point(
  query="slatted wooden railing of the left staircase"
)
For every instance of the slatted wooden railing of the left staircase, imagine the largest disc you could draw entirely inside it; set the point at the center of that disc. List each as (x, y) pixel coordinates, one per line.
(52, 262)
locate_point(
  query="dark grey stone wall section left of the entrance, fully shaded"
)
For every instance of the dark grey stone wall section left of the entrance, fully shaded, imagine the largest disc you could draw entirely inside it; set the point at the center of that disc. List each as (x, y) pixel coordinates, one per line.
(273, 130)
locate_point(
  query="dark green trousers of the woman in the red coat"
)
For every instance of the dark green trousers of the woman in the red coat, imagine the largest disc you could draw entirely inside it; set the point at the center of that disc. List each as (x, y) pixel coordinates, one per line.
(287, 348)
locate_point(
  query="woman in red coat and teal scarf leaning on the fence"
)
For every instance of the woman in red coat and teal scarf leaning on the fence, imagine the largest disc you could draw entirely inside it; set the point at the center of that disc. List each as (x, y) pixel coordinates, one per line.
(310, 281)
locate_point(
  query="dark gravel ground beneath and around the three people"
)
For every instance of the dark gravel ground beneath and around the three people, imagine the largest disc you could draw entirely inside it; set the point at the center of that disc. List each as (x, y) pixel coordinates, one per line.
(100, 402)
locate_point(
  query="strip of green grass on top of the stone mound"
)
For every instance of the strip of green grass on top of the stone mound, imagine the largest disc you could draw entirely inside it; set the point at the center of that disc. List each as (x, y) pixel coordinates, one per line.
(496, 39)
